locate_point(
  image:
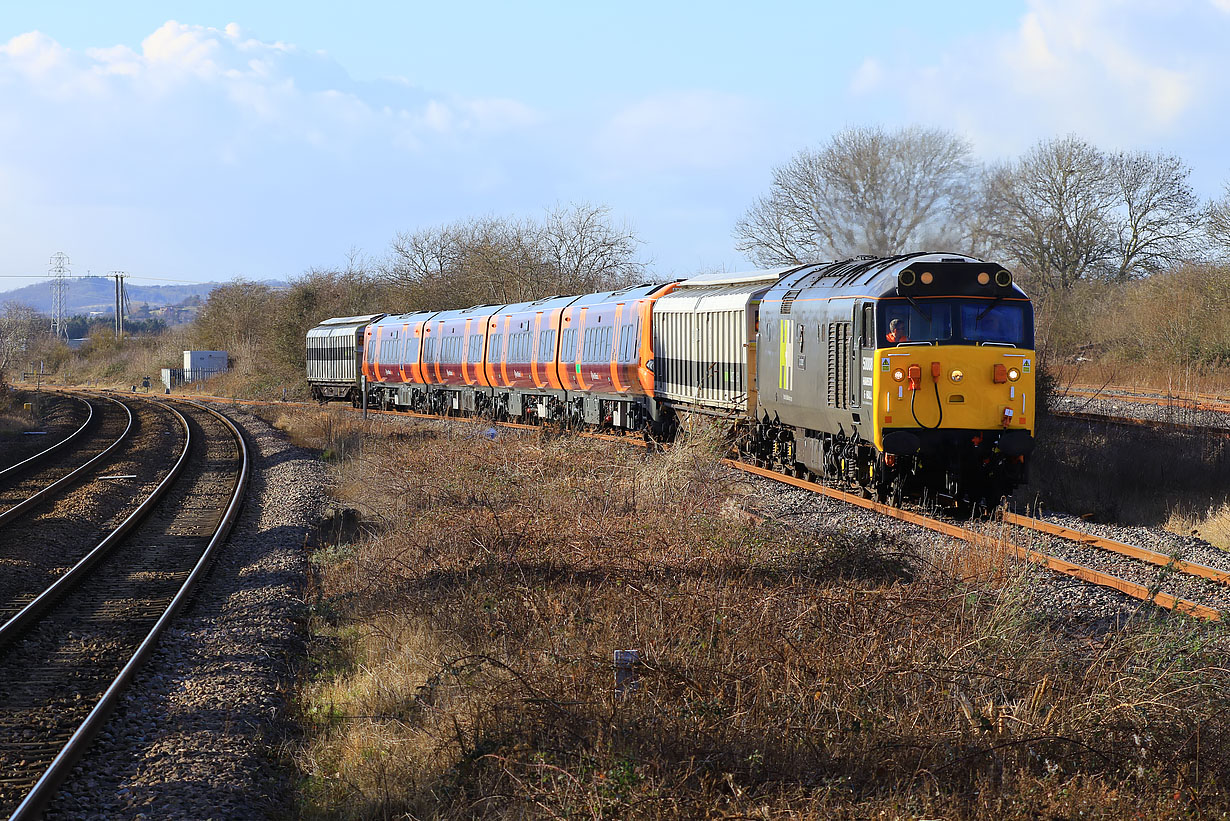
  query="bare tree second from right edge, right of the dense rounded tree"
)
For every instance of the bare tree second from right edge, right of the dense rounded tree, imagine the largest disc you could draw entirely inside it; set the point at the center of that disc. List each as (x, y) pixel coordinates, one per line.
(1158, 220)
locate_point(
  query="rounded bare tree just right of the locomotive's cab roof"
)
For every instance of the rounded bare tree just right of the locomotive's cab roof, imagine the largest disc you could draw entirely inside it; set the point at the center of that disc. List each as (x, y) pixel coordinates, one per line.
(1055, 210)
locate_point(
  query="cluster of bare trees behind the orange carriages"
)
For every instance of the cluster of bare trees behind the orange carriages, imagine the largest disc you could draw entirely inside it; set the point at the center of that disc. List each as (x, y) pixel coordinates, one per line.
(502, 260)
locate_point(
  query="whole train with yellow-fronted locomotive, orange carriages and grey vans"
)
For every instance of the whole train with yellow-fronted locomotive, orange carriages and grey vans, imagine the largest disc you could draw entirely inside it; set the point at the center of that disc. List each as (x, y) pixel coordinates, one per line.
(901, 375)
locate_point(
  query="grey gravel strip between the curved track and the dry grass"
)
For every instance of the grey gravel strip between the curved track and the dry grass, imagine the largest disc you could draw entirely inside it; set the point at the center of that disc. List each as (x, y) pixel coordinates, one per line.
(201, 732)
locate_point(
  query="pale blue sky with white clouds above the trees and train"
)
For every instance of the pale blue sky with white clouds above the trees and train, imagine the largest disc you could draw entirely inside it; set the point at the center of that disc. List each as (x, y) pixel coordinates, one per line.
(205, 141)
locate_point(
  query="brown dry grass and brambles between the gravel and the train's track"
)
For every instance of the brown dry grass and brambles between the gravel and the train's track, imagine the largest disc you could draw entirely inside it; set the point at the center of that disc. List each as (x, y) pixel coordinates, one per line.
(463, 657)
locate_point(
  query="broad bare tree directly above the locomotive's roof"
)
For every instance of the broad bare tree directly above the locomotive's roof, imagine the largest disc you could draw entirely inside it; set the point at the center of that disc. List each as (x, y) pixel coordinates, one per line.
(868, 191)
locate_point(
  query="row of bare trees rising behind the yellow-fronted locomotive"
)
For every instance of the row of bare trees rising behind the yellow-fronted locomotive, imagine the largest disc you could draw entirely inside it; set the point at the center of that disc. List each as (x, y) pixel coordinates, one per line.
(1062, 214)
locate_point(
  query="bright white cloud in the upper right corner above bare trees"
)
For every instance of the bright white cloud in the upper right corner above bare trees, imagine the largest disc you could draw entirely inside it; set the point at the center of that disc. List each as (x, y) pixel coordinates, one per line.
(1119, 72)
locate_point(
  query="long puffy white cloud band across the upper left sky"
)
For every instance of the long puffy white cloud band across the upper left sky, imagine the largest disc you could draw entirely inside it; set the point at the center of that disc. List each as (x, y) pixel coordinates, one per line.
(218, 78)
